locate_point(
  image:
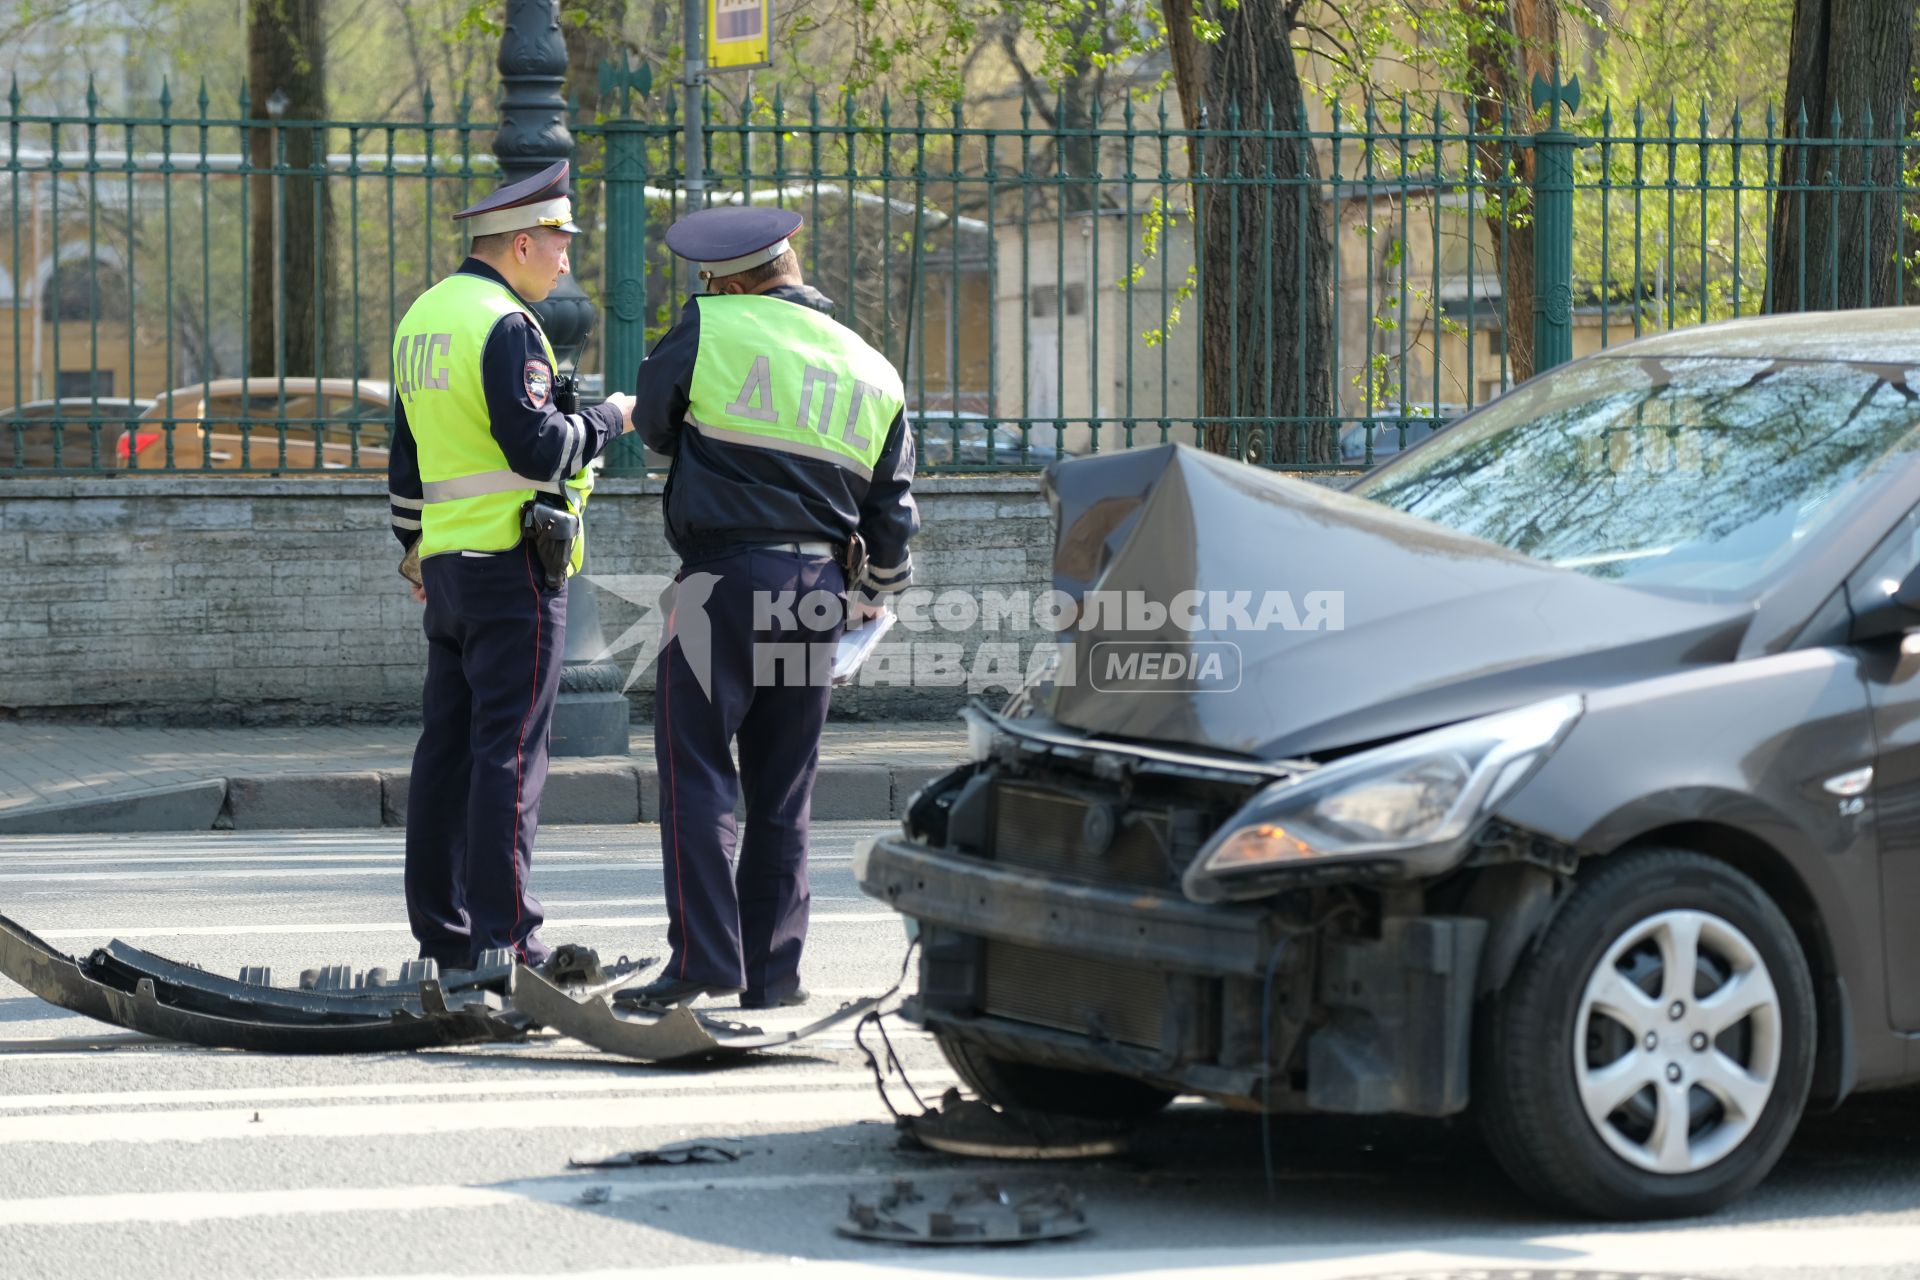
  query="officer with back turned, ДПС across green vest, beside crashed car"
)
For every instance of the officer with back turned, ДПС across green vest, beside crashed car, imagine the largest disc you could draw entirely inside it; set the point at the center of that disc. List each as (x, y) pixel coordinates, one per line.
(790, 458)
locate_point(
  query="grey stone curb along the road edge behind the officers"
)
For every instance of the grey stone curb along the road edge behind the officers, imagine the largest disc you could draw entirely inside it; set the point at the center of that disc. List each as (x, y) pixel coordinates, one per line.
(608, 792)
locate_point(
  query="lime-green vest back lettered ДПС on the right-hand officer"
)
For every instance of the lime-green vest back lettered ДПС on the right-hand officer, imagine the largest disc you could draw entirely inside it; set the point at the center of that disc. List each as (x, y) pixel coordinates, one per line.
(777, 375)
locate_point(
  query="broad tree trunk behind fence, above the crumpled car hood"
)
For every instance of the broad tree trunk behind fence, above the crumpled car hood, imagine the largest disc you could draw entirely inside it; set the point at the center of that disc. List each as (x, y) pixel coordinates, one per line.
(1266, 258)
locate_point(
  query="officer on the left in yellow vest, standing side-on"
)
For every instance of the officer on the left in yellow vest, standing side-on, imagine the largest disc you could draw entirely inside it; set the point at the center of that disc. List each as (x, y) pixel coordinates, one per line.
(489, 483)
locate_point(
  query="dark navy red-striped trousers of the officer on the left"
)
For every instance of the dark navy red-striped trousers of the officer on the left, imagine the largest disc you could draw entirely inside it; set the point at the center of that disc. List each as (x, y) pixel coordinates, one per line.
(492, 673)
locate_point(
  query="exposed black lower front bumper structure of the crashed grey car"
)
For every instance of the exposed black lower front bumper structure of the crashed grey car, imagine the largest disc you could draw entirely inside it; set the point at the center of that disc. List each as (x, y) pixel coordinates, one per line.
(1224, 1001)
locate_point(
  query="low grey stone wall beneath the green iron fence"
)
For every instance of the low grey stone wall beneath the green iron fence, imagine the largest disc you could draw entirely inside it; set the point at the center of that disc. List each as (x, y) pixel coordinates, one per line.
(276, 602)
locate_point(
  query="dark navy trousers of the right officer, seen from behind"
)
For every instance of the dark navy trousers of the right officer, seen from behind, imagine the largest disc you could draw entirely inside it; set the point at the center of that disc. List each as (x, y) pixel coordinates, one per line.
(744, 924)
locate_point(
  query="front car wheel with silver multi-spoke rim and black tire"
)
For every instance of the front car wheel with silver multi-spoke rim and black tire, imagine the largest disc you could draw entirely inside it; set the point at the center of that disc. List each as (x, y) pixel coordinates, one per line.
(1717, 1095)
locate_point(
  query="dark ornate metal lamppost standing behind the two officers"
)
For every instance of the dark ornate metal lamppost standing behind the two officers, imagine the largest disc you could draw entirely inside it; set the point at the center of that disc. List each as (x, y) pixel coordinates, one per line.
(592, 715)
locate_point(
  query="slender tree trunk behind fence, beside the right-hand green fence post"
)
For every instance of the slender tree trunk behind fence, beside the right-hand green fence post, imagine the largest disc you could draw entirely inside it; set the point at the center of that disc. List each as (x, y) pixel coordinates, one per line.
(1504, 70)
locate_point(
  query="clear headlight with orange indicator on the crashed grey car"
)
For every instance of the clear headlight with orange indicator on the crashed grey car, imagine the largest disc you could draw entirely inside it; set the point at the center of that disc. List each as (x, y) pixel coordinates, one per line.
(1408, 807)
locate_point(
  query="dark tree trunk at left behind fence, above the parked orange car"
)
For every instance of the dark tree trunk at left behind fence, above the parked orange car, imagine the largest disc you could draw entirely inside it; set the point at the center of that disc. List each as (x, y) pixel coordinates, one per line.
(287, 55)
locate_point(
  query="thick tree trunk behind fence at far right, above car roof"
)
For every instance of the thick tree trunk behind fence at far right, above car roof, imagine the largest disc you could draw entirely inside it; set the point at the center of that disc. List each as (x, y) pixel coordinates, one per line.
(1838, 250)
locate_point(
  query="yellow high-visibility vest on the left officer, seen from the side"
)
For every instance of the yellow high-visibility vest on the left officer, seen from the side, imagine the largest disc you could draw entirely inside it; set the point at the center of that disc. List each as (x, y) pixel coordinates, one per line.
(471, 494)
